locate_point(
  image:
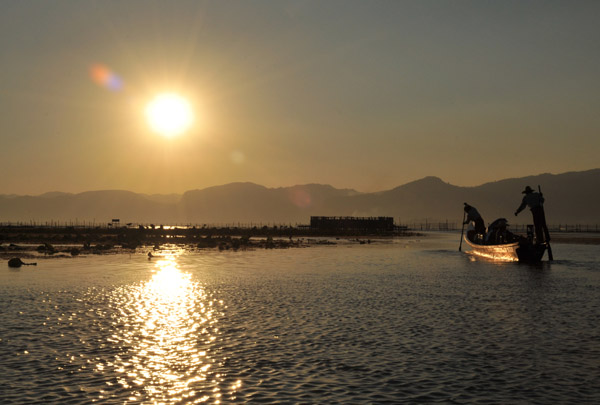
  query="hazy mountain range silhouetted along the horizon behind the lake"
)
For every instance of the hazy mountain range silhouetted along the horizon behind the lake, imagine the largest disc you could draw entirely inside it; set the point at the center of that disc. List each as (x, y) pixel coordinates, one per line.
(572, 198)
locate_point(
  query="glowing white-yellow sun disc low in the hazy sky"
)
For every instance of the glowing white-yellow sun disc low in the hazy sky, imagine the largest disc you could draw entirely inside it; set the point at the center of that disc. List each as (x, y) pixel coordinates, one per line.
(169, 114)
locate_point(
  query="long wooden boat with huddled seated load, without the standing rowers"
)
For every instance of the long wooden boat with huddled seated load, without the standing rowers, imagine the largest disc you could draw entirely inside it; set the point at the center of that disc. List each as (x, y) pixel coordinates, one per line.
(499, 244)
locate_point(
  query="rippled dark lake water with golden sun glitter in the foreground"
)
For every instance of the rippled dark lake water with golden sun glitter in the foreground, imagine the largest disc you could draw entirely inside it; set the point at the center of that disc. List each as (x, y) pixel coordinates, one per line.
(413, 321)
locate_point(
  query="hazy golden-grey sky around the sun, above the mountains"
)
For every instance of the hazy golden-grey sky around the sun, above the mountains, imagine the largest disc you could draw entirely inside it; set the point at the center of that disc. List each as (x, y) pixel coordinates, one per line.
(359, 94)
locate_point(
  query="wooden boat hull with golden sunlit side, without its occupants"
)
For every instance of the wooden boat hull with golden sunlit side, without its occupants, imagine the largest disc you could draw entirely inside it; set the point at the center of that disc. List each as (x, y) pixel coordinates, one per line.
(523, 252)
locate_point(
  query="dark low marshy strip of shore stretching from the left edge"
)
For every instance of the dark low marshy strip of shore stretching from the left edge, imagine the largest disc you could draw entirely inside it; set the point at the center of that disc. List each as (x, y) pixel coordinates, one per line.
(43, 242)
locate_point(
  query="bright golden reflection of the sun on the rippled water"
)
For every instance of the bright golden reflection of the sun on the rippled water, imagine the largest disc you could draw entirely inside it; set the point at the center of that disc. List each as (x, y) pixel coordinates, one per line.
(165, 333)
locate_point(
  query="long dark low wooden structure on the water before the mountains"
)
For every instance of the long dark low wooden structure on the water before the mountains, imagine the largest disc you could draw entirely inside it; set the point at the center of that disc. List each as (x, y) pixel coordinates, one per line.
(364, 225)
